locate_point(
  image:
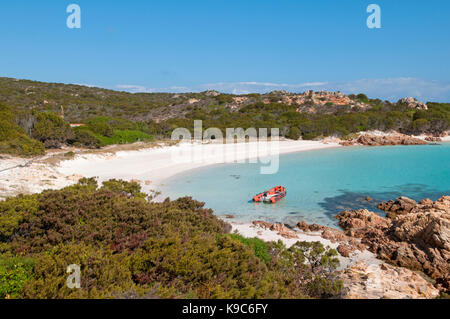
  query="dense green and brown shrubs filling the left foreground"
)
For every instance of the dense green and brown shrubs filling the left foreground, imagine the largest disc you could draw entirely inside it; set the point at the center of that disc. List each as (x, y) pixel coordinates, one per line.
(128, 247)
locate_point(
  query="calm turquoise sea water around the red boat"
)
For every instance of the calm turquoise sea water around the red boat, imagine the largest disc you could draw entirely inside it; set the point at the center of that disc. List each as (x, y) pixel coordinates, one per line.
(320, 183)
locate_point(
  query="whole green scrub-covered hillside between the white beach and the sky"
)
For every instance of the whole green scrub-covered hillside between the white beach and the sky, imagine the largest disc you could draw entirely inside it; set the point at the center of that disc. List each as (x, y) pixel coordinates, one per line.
(35, 115)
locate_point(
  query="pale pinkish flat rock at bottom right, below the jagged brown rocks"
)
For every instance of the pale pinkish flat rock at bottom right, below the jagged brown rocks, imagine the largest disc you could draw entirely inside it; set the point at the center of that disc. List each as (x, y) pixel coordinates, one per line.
(382, 281)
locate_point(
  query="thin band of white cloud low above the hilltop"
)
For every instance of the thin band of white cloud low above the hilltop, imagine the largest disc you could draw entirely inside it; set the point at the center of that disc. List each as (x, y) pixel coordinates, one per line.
(387, 89)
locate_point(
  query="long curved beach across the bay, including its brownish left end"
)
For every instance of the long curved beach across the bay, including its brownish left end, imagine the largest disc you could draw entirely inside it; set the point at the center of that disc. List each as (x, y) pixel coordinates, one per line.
(148, 164)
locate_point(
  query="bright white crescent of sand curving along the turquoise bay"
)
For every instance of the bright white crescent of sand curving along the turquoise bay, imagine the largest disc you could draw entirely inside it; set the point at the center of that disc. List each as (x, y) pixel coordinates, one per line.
(153, 166)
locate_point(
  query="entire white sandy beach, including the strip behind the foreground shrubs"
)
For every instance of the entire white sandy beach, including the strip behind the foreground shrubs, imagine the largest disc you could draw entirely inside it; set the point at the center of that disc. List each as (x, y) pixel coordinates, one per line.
(151, 166)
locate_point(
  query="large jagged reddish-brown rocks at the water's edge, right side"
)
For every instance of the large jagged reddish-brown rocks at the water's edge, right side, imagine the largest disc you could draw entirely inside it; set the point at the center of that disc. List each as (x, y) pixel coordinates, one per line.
(416, 237)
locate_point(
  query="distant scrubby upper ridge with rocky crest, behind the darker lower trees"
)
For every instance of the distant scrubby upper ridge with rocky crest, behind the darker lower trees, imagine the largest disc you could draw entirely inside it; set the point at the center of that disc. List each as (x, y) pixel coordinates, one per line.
(81, 102)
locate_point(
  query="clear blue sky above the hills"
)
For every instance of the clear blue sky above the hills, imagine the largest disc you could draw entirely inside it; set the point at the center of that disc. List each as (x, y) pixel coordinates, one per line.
(232, 46)
